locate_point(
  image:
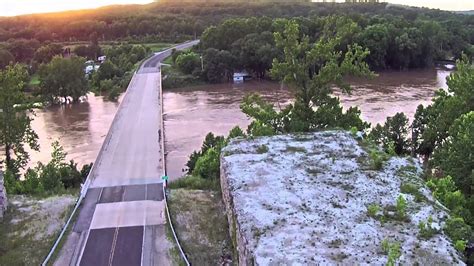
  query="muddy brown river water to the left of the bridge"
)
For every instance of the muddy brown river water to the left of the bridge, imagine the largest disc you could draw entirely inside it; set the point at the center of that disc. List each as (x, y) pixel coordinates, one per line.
(80, 129)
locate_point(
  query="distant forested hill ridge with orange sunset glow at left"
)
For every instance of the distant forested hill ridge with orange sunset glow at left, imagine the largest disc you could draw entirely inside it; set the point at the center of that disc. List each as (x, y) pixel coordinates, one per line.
(171, 21)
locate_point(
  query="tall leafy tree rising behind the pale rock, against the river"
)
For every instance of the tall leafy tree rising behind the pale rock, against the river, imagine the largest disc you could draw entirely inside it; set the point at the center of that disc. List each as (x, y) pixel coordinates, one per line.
(311, 71)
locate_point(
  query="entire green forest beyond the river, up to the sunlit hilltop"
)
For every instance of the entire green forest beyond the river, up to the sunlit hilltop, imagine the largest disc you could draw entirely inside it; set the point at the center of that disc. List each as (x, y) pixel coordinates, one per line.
(235, 36)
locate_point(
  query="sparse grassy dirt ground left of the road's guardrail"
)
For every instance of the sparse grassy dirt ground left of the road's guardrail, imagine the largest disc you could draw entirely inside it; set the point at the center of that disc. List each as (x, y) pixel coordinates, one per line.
(30, 226)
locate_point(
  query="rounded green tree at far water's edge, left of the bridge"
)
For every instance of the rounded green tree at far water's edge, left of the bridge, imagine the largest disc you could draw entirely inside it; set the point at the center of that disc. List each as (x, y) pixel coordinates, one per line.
(63, 78)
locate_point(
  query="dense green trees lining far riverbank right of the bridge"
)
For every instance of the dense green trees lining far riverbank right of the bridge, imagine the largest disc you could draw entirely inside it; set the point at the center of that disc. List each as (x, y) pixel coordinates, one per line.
(394, 43)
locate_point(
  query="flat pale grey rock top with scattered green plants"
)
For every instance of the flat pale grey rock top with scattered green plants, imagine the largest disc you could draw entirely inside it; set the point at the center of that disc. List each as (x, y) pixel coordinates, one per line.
(303, 199)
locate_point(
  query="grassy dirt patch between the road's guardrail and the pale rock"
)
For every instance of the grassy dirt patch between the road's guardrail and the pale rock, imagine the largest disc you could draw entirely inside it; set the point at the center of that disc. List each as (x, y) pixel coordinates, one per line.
(200, 220)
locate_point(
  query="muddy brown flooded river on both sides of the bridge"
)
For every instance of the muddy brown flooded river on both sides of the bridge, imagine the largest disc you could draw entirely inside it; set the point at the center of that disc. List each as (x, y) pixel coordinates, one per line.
(191, 113)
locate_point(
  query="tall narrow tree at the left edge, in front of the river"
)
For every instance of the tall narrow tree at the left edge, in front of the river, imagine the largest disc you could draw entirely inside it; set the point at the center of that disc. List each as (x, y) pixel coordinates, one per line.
(15, 121)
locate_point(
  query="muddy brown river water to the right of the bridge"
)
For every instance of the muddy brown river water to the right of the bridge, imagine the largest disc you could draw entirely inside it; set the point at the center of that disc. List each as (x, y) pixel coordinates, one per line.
(191, 113)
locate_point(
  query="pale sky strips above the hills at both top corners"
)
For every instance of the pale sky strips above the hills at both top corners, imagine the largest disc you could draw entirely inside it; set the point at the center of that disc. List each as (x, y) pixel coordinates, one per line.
(18, 7)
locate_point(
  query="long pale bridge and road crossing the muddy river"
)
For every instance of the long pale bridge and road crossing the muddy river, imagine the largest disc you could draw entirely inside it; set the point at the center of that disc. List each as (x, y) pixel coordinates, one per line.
(121, 220)
